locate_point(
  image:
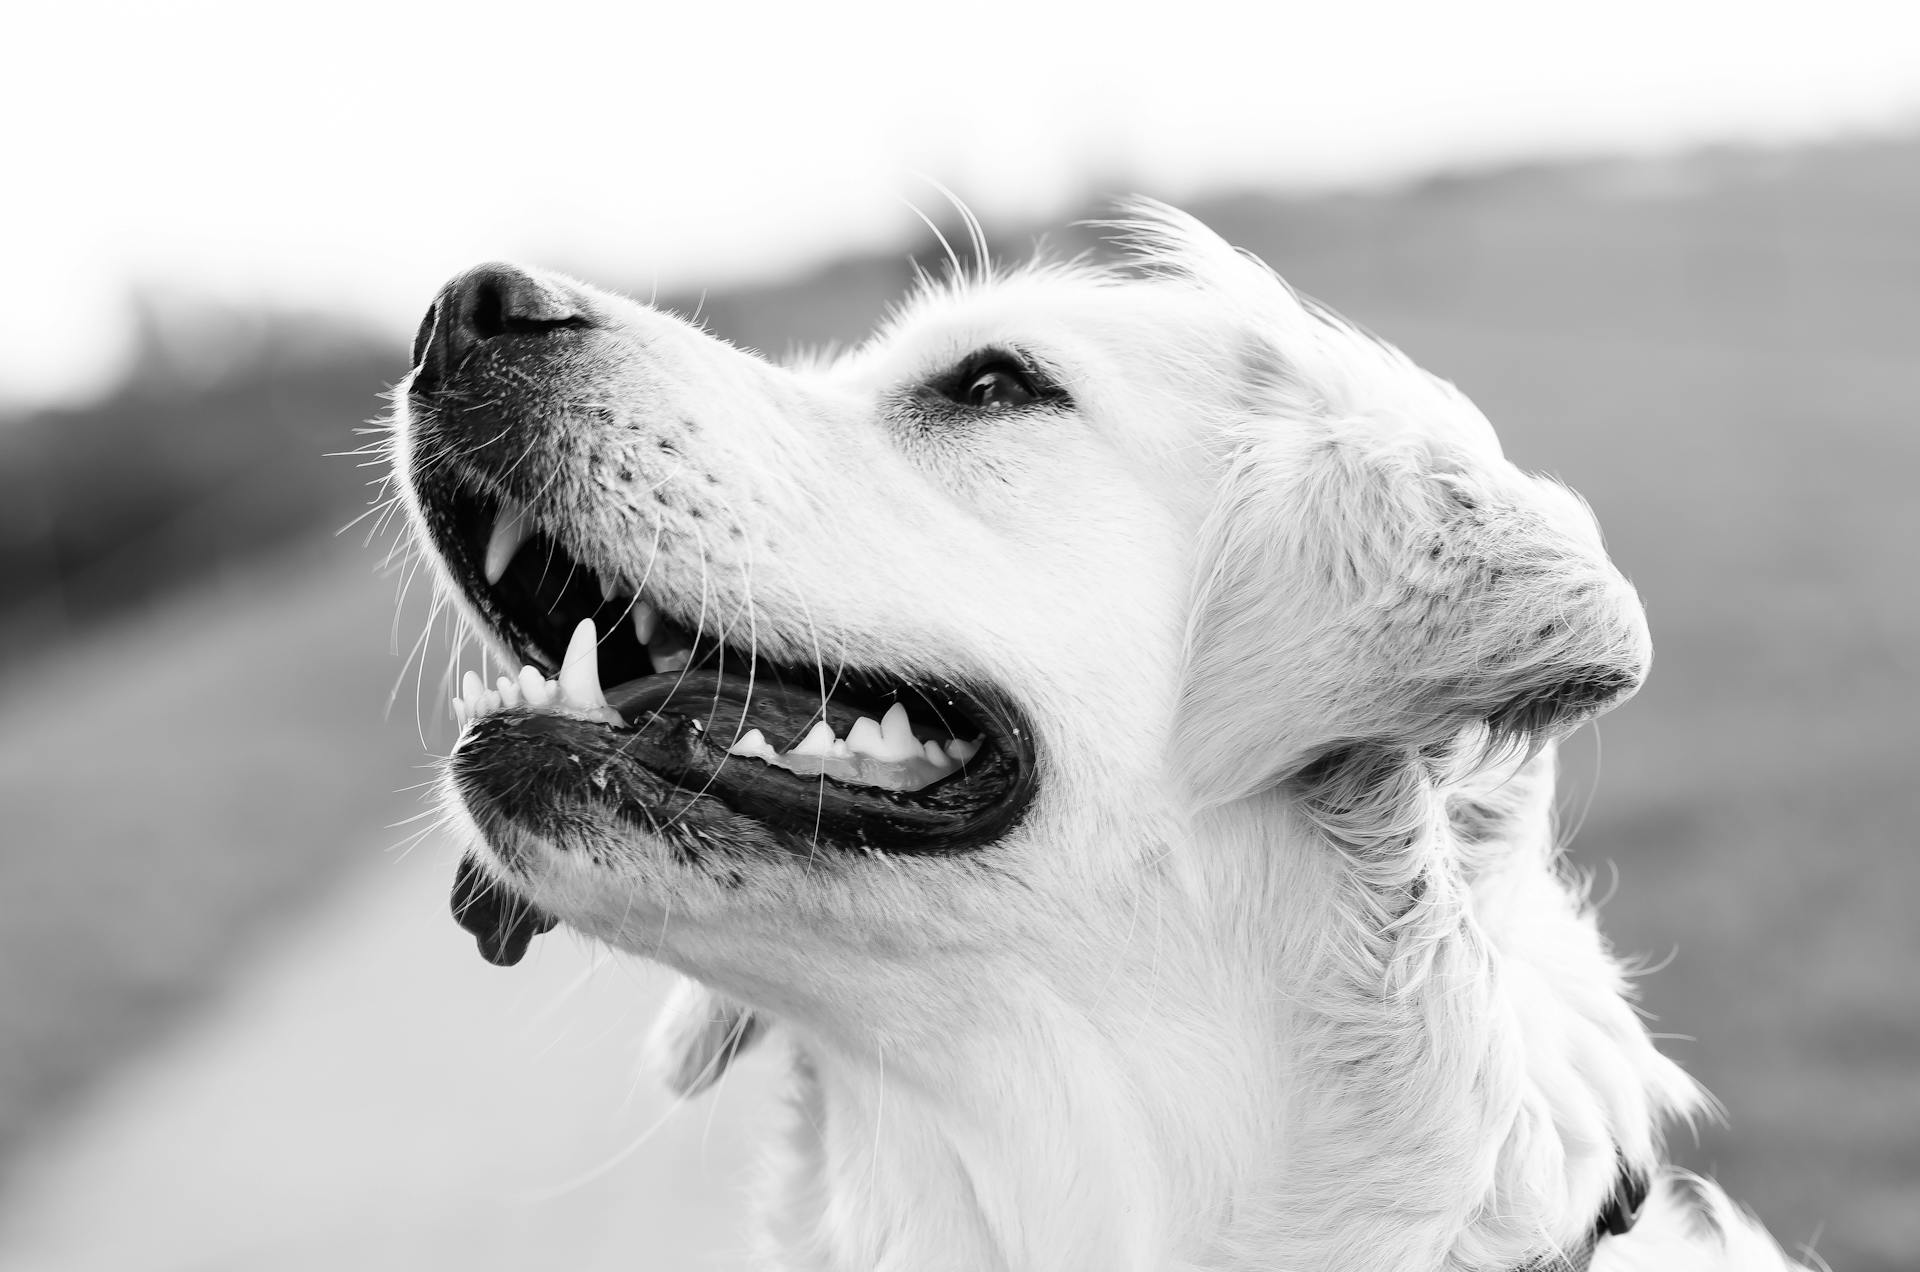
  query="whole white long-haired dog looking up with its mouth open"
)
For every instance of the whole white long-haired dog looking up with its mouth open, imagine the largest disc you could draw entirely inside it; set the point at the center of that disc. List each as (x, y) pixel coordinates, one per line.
(1103, 725)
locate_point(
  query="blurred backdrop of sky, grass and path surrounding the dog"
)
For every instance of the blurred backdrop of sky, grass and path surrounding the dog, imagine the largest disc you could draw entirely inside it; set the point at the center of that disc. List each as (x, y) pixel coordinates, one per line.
(1671, 249)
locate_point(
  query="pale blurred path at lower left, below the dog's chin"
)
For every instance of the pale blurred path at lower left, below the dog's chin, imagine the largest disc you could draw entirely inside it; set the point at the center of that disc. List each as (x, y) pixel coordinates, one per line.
(373, 1096)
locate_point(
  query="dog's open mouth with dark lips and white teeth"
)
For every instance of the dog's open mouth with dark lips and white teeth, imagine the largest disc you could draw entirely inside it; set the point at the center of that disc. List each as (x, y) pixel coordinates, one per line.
(827, 756)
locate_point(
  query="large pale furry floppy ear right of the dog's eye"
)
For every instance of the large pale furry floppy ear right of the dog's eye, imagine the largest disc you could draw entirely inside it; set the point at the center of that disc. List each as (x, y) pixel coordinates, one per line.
(1380, 587)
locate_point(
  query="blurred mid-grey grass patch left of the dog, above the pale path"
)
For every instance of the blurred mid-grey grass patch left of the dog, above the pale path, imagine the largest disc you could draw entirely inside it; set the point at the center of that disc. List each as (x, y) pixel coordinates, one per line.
(174, 789)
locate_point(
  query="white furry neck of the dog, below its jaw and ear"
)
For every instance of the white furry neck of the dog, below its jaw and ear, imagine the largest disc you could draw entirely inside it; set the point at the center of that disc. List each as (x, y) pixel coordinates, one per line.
(1351, 1073)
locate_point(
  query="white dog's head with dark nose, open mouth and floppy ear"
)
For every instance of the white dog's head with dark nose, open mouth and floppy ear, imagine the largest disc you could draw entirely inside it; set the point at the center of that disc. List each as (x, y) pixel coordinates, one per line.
(907, 672)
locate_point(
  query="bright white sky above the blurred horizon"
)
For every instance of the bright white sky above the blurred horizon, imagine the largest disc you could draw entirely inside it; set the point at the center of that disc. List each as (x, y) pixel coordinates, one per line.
(352, 155)
